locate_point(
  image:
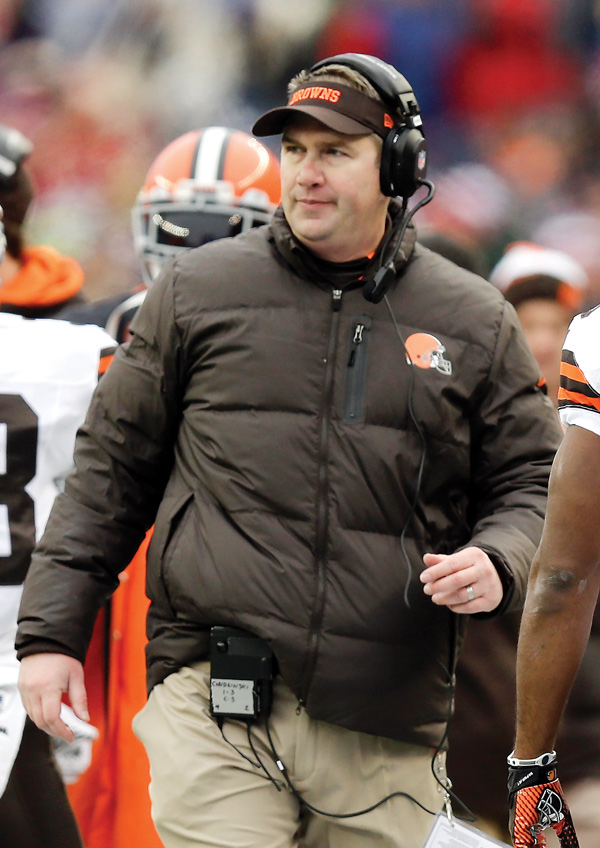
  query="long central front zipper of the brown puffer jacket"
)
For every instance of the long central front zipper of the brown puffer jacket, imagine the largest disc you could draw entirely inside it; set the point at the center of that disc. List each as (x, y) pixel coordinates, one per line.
(322, 504)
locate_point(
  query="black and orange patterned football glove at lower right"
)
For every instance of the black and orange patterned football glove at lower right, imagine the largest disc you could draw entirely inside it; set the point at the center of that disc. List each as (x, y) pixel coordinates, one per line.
(536, 801)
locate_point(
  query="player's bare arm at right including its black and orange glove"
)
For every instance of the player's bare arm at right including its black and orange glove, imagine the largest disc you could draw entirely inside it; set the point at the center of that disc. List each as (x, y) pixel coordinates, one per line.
(556, 623)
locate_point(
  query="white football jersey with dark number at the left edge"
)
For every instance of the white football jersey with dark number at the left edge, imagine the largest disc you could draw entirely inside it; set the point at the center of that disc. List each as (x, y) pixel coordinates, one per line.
(48, 372)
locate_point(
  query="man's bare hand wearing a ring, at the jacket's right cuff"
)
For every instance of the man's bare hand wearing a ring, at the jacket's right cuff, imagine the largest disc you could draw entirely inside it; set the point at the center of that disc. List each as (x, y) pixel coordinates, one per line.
(466, 581)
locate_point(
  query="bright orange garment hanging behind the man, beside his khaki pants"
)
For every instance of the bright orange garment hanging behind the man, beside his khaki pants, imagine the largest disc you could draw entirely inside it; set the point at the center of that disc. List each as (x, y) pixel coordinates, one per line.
(110, 799)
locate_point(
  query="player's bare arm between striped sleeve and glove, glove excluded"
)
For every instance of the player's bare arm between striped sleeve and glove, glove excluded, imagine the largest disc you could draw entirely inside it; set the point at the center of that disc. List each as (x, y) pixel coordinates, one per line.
(562, 594)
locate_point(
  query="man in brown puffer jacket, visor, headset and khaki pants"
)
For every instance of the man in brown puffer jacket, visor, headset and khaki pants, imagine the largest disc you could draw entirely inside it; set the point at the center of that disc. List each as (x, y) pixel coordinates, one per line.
(310, 412)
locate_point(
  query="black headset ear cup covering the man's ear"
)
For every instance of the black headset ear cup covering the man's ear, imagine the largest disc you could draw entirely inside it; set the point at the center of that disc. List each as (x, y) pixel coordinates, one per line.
(403, 162)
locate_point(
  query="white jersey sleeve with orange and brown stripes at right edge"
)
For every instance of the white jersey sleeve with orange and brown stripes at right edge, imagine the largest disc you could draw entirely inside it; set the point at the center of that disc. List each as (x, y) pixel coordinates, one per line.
(579, 393)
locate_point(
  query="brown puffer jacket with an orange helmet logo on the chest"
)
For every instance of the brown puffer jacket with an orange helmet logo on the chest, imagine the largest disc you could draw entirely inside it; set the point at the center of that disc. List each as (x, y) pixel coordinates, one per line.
(278, 428)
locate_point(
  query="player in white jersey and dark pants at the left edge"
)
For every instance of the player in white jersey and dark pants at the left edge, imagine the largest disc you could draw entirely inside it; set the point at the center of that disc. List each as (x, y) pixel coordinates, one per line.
(48, 371)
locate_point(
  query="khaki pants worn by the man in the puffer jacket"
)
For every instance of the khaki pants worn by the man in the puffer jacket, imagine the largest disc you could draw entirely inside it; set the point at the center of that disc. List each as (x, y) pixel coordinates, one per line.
(204, 793)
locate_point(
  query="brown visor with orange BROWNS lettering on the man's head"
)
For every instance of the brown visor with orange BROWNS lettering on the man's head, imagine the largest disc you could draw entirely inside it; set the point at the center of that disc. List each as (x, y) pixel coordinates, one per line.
(339, 107)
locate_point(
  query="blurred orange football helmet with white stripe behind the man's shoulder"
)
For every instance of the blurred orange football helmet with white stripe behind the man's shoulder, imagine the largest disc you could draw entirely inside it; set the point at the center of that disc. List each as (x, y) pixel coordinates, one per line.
(207, 184)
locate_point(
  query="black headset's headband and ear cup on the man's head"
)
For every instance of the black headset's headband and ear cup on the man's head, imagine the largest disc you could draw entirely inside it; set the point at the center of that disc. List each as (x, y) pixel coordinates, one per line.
(404, 154)
